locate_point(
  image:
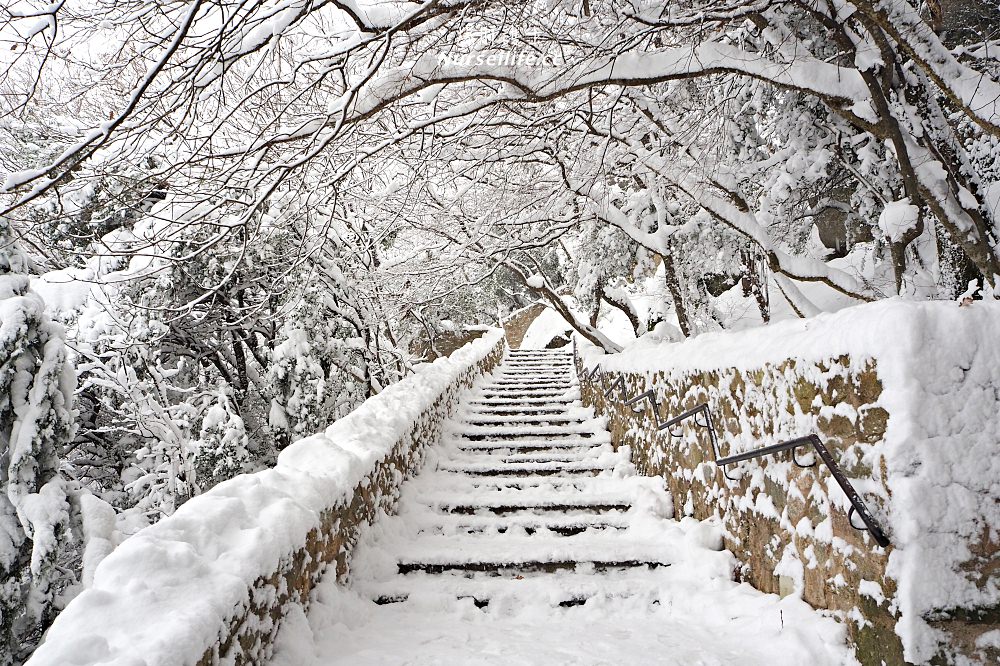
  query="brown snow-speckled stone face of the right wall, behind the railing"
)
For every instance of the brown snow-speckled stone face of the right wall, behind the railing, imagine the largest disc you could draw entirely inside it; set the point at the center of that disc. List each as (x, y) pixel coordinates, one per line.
(786, 525)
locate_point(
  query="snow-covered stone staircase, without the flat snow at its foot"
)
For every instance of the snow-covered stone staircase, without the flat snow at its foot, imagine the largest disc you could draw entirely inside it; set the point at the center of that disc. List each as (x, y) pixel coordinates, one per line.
(527, 499)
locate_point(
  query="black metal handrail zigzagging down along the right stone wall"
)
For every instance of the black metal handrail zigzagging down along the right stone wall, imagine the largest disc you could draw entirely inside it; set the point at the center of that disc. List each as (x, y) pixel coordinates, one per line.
(703, 411)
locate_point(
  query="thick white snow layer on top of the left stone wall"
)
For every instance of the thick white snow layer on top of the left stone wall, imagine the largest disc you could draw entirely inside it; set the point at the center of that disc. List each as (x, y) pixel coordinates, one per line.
(163, 595)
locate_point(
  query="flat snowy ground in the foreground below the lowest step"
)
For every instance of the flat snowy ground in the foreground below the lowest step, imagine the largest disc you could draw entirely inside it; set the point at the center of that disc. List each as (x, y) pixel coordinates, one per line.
(706, 622)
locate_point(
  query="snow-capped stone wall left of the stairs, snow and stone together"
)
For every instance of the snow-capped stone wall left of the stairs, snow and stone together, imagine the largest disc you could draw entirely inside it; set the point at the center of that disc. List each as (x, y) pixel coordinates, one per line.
(211, 583)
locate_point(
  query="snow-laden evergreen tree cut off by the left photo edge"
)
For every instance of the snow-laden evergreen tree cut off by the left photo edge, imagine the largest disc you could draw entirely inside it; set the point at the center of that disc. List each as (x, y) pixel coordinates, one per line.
(38, 538)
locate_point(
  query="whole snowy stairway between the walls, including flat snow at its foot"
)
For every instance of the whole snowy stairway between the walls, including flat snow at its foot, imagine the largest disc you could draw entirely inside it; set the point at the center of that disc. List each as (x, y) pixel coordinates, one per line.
(529, 539)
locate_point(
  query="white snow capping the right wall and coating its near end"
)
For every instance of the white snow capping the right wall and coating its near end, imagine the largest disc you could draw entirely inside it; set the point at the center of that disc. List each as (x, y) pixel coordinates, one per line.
(938, 364)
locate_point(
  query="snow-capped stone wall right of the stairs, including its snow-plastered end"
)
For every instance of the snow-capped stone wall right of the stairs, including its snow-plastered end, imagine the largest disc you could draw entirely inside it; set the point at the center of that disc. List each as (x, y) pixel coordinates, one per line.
(906, 397)
